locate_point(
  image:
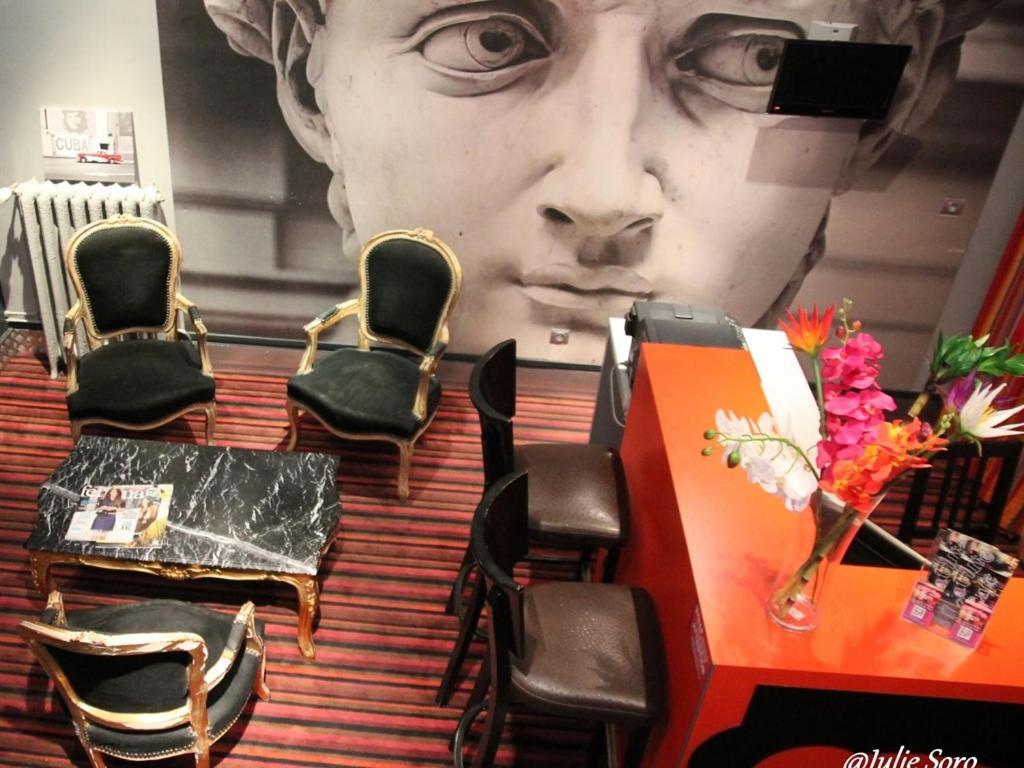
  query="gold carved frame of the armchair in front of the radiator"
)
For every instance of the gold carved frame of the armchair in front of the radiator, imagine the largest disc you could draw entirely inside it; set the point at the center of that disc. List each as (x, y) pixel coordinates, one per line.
(81, 315)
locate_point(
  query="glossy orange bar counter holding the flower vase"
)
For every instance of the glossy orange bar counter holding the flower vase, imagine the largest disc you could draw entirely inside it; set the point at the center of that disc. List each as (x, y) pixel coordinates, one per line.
(708, 545)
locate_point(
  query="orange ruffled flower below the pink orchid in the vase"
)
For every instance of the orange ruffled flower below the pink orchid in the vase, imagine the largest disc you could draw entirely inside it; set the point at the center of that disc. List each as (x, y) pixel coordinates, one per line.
(900, 447)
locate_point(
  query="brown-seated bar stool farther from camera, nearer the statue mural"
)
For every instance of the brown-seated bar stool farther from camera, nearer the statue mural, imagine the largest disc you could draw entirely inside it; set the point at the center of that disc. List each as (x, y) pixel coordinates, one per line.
(578, 493)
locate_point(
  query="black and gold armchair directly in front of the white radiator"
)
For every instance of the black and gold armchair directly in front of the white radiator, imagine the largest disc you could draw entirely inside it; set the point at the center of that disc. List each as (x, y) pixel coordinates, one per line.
(138, 374)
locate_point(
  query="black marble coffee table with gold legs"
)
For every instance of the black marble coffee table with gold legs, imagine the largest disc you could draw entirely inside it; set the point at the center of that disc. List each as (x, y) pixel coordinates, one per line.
(235, 515)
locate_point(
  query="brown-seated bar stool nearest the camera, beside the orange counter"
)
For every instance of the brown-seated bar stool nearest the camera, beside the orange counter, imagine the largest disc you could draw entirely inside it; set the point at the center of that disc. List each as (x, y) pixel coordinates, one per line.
(583, 651)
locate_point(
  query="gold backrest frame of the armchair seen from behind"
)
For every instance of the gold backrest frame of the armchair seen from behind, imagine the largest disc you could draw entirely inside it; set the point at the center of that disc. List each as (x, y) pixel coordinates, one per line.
(98, 644)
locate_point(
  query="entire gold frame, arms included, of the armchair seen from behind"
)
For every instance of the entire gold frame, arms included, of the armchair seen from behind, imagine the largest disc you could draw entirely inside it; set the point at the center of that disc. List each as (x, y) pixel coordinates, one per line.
(41, 636)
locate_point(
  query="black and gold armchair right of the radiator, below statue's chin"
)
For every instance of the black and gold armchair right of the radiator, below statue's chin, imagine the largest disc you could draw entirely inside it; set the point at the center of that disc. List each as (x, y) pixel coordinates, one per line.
(409, 283)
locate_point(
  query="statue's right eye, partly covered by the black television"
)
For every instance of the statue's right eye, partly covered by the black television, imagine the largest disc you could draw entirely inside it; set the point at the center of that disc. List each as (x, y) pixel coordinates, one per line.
(749, 60)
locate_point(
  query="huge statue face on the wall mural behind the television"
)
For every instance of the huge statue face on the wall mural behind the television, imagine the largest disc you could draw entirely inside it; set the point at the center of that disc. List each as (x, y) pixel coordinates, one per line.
(579, 155)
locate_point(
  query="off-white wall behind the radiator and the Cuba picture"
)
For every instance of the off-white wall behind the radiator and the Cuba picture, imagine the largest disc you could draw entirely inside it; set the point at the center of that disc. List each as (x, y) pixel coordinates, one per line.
(103, 54)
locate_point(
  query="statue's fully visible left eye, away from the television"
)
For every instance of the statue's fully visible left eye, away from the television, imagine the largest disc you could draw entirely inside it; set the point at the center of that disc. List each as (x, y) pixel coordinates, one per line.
(484, 46)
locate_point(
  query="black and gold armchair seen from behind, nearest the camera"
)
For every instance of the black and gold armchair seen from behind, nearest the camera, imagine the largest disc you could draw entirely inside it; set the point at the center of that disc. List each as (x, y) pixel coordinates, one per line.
(150, 680)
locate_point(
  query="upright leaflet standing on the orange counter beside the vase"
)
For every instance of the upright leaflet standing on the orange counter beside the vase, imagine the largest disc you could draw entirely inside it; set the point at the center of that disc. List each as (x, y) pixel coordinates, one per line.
(959, 589)
